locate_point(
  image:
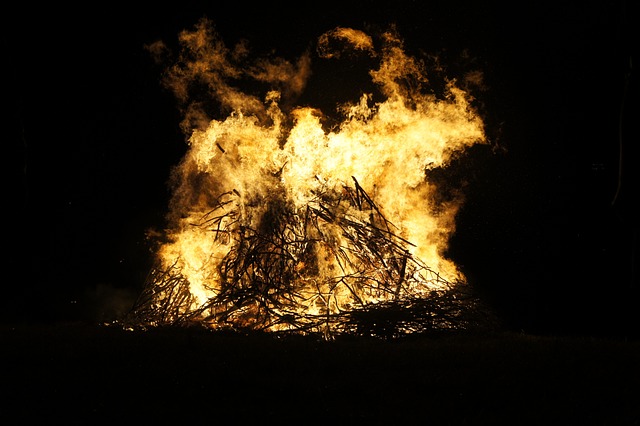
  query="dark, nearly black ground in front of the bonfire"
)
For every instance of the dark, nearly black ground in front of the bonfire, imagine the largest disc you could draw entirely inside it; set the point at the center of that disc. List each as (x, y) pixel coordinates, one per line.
(78, 373)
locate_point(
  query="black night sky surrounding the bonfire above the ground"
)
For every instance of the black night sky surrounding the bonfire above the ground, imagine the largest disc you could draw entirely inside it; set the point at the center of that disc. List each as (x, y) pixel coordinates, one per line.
(93, 135)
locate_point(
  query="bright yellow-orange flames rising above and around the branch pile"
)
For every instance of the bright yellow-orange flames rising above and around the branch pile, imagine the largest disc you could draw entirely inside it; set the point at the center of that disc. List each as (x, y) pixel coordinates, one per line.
(237, 163)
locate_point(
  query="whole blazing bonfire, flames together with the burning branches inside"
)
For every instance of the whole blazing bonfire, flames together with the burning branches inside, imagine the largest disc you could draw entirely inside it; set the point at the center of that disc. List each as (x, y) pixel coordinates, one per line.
(282, 222)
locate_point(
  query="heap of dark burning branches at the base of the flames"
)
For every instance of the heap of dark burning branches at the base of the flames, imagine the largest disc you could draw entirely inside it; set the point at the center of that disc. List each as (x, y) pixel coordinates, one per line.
(285, 275)
